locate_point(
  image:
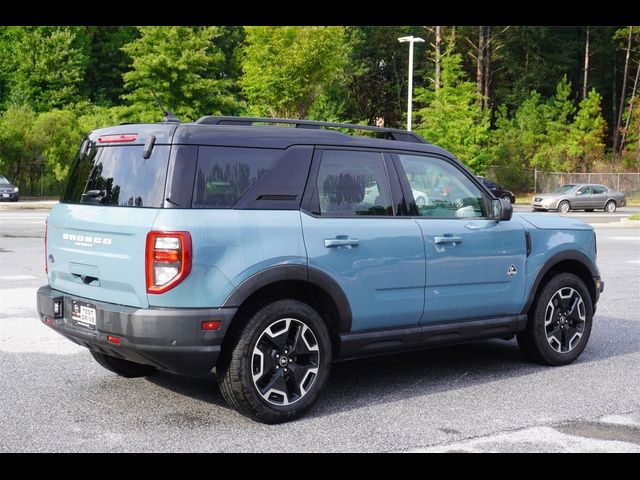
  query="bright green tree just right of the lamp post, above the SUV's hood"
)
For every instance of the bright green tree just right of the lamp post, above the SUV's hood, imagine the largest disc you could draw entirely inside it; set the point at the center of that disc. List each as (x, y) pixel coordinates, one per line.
(453, 118)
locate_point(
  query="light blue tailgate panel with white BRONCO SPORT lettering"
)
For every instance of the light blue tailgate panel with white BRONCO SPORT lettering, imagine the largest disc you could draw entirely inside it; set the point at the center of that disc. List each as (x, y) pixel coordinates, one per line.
(99, 253)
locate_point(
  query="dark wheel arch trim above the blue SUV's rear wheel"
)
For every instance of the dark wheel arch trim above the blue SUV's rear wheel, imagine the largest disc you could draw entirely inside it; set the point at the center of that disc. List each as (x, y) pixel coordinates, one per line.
(280, 273)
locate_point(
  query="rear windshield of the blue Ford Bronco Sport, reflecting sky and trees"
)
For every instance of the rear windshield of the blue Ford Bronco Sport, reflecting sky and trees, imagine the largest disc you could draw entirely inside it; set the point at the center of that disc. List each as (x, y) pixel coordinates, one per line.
(119, 176)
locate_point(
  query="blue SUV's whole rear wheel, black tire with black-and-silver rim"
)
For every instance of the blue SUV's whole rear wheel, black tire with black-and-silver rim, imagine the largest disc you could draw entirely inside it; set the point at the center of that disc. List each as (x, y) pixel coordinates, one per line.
(257, 371)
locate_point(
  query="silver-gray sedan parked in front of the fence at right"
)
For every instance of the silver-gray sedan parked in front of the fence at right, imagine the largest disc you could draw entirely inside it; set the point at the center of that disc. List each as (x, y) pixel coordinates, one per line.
(579, 196)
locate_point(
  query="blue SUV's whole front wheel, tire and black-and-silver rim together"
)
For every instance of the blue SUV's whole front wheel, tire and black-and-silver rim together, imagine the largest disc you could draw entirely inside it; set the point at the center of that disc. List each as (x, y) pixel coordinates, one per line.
(556, 332)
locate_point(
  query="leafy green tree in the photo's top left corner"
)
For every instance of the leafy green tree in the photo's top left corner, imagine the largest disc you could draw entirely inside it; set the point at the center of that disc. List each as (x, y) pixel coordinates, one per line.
(45, 66)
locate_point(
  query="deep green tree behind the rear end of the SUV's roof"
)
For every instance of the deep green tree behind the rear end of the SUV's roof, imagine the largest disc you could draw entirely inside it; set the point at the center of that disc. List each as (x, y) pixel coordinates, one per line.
(185, 69)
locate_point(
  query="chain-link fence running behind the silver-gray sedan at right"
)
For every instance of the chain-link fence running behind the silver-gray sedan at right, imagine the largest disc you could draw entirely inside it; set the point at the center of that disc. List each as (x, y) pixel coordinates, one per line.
(537, 181)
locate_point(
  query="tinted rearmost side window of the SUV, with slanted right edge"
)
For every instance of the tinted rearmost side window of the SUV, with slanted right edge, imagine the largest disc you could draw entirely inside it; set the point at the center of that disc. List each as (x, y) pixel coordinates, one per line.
(224, 174)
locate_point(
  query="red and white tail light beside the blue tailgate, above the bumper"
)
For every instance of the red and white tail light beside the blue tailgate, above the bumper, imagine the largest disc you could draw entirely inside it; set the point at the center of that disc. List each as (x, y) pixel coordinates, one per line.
(168, 260)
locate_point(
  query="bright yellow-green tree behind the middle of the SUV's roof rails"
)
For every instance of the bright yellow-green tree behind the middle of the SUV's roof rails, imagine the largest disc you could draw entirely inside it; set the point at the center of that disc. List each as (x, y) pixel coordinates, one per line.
(286, 69)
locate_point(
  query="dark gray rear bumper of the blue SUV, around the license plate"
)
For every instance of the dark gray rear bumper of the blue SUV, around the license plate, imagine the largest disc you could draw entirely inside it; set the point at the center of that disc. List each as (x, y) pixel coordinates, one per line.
(169, 339)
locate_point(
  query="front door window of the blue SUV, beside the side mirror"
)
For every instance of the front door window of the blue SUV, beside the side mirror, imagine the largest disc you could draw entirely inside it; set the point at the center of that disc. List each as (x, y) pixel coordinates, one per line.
(441, 190)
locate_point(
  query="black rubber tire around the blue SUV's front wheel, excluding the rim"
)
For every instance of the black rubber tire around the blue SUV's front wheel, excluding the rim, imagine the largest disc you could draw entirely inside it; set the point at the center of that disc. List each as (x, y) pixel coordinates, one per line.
(535, 334)
